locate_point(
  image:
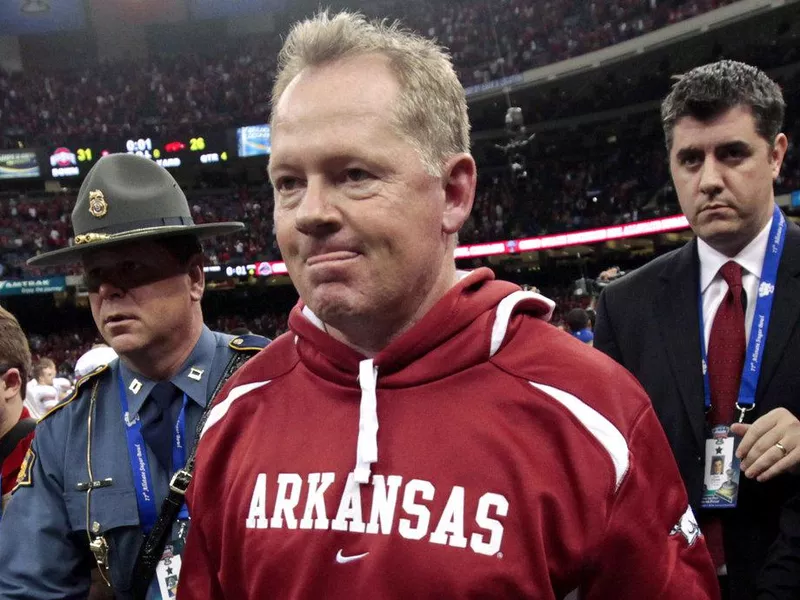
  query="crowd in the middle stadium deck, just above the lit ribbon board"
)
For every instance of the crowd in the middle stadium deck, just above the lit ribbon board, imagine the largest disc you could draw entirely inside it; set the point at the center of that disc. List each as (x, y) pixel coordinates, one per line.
(622, 183)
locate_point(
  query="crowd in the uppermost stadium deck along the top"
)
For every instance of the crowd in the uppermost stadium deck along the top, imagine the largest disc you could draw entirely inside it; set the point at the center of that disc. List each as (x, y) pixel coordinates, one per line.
(171, 95)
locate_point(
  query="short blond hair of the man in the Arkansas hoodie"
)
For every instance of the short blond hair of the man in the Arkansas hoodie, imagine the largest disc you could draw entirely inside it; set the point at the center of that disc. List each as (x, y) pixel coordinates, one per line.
(431, 109)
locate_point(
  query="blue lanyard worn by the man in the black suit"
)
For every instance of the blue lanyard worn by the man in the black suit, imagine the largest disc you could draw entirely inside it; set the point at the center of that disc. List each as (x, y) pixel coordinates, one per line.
(758, 330)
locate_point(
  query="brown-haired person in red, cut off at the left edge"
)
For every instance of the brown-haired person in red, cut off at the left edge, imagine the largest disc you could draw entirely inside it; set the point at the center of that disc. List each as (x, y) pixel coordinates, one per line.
(16, 424)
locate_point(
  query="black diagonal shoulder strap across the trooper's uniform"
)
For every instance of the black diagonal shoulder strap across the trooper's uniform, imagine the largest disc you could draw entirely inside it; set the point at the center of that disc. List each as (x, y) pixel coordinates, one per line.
(153, 547)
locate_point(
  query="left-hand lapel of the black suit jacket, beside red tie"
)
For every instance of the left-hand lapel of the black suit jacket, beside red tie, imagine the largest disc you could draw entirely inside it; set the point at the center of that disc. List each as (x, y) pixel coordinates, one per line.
(679, 322)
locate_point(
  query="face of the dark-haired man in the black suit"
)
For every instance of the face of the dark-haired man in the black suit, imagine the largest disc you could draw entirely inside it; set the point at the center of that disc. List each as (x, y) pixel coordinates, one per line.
(723, 173)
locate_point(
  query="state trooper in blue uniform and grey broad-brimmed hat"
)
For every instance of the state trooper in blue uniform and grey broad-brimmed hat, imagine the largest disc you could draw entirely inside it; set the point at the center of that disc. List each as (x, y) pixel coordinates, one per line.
(103, 462)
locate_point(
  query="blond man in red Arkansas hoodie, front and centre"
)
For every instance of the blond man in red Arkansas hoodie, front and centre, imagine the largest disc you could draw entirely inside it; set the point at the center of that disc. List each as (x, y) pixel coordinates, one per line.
(420, 432)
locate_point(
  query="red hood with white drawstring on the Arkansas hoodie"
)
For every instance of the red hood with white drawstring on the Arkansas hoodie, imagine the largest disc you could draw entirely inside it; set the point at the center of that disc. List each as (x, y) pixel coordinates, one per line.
(464, 328)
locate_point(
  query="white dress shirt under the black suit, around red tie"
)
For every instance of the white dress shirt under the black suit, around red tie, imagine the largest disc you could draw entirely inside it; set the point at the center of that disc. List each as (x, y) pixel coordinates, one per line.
(713, 286)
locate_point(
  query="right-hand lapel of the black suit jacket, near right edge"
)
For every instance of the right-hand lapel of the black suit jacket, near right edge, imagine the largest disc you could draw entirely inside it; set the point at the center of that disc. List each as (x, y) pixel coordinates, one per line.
(785, 309)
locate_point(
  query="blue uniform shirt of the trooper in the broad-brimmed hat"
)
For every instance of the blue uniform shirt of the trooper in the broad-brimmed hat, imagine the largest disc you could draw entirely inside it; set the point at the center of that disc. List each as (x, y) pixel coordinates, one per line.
(44, 534)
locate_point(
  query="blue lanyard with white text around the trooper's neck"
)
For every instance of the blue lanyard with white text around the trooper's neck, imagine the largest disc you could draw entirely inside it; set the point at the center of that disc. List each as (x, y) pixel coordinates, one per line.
(140, 464)
